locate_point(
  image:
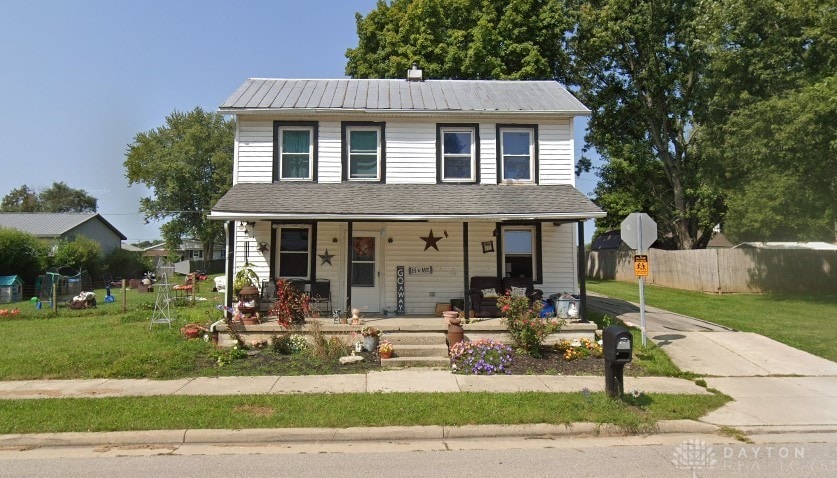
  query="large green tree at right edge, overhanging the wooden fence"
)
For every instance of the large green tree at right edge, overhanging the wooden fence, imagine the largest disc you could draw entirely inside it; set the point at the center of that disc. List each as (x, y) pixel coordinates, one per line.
(771, 96)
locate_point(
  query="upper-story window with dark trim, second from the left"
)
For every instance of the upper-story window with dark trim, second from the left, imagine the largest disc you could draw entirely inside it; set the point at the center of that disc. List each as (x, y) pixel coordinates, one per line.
(363, 151)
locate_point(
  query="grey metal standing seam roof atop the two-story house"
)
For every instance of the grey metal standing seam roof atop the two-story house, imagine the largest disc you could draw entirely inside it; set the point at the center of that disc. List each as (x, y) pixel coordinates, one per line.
(535, 97)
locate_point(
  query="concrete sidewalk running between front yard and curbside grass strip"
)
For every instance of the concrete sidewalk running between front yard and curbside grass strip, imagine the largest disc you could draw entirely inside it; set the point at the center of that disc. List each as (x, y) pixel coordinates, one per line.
(405, 380)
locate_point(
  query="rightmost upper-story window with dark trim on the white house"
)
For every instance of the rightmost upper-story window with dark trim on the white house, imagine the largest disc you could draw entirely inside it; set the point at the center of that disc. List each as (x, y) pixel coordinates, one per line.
(517, 153)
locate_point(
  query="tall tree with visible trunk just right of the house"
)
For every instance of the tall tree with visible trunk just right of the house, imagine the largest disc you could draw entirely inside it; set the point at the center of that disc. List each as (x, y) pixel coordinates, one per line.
(638, 66)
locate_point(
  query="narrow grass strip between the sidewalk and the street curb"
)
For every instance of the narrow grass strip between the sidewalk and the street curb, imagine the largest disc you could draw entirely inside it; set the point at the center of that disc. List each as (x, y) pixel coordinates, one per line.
(346, 410)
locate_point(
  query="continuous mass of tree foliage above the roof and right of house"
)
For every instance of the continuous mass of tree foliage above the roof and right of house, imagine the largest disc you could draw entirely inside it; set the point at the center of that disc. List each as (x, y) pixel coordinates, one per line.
(673, 86)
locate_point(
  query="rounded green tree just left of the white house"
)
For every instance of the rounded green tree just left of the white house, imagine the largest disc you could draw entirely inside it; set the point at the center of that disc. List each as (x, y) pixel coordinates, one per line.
(187, 164)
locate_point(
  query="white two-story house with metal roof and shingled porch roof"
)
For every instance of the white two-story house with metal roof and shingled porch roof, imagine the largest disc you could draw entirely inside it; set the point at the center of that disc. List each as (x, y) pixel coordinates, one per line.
(398, 192)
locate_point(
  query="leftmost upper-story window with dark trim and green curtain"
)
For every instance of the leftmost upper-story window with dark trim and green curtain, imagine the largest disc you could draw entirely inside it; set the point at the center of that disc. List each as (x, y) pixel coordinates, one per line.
(295, 150)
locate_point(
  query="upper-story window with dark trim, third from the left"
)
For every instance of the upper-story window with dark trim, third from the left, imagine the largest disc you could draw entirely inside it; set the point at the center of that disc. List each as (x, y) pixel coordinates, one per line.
(457, 147)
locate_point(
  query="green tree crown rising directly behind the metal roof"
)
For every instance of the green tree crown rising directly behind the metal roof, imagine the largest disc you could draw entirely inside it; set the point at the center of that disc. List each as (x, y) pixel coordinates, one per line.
(456, 39)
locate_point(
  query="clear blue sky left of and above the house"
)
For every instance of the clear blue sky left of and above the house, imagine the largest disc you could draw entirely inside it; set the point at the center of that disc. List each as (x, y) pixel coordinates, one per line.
(80, 79)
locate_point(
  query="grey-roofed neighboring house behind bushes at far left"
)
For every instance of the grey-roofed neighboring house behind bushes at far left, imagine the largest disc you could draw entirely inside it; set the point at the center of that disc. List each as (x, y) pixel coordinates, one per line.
(55, 227)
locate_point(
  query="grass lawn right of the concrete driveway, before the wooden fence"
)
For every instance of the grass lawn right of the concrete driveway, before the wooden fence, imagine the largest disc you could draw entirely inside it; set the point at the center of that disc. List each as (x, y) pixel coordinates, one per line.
(802, 321)
